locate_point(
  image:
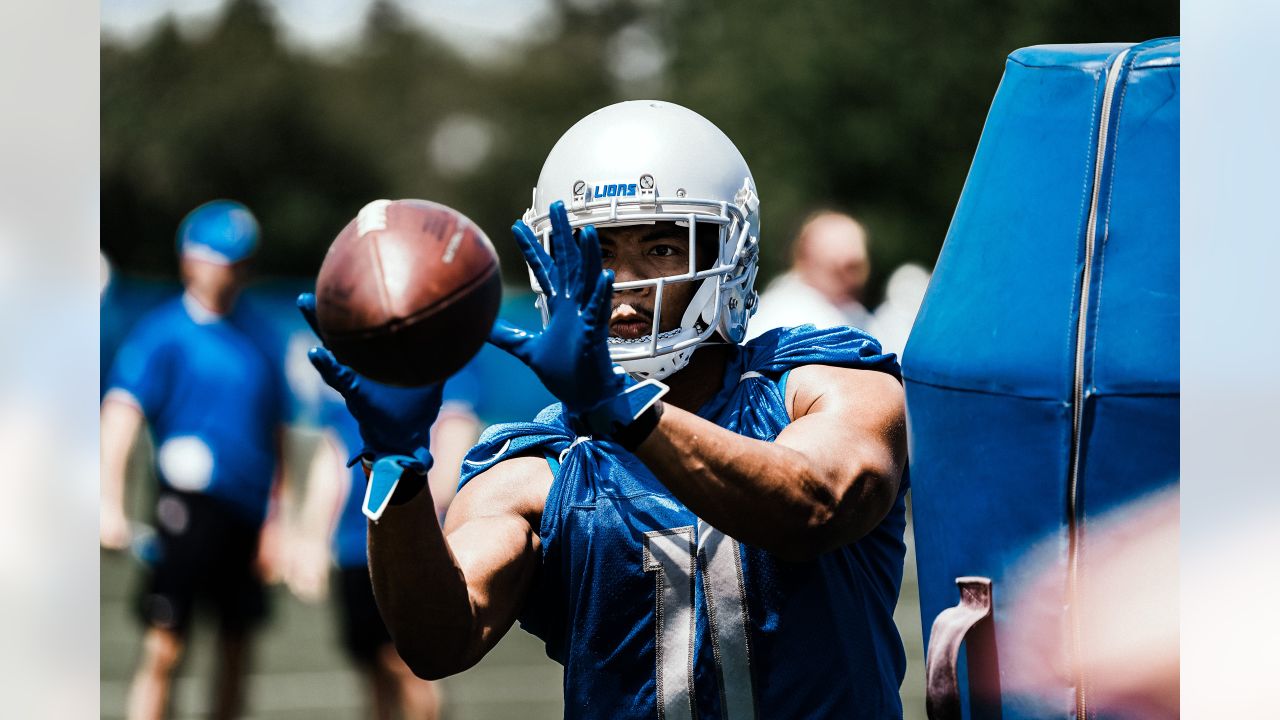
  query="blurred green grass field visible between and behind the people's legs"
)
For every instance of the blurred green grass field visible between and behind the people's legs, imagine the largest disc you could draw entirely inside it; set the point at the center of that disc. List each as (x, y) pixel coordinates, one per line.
(300, 672)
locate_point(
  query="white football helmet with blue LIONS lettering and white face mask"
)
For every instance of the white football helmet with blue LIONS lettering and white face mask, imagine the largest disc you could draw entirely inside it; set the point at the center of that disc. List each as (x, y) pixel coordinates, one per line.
(647, 162)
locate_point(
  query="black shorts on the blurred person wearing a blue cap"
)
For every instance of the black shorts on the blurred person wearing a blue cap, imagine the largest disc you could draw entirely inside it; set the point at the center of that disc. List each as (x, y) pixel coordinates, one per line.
(207, 555)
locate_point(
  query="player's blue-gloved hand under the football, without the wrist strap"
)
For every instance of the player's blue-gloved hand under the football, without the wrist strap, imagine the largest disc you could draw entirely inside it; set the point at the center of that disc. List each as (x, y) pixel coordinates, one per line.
(394, 421)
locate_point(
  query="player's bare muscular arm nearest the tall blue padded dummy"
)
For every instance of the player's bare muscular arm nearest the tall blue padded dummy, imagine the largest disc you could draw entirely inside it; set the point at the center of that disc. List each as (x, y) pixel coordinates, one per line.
(829, 479)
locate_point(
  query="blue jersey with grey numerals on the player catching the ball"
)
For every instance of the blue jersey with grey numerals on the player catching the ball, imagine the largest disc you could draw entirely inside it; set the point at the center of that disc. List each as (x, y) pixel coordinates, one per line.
(655, 613)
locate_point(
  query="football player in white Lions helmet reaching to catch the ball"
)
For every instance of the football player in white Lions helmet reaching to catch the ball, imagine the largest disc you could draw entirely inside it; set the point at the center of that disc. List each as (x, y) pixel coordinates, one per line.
(700, 528)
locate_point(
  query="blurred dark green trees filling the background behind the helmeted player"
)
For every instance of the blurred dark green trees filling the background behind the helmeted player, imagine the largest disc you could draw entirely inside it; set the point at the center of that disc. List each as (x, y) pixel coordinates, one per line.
(874, 108)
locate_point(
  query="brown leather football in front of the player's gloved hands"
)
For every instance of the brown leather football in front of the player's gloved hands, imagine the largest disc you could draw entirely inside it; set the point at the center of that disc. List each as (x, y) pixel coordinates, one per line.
(408, 293)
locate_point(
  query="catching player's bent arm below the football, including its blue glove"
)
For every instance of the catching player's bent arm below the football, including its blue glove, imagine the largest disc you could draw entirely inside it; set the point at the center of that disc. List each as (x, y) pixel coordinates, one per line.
(447, 595)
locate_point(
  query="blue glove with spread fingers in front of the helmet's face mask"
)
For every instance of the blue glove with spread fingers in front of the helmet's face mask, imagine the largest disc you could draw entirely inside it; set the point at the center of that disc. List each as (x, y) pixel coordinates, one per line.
(572, 356)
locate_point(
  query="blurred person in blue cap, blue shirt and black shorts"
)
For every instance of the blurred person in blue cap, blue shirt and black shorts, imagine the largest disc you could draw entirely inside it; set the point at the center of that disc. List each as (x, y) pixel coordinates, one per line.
(193, 375)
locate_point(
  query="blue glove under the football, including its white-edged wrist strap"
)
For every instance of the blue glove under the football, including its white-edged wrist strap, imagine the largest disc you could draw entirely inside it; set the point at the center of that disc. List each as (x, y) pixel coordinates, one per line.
(395, 423)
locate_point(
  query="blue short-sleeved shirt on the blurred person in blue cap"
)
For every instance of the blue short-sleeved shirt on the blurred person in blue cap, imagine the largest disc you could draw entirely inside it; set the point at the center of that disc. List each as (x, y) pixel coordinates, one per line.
(212, 399)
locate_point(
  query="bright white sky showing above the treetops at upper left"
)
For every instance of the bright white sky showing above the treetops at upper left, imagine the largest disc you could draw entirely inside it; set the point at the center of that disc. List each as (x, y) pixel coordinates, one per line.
(481, 31)
